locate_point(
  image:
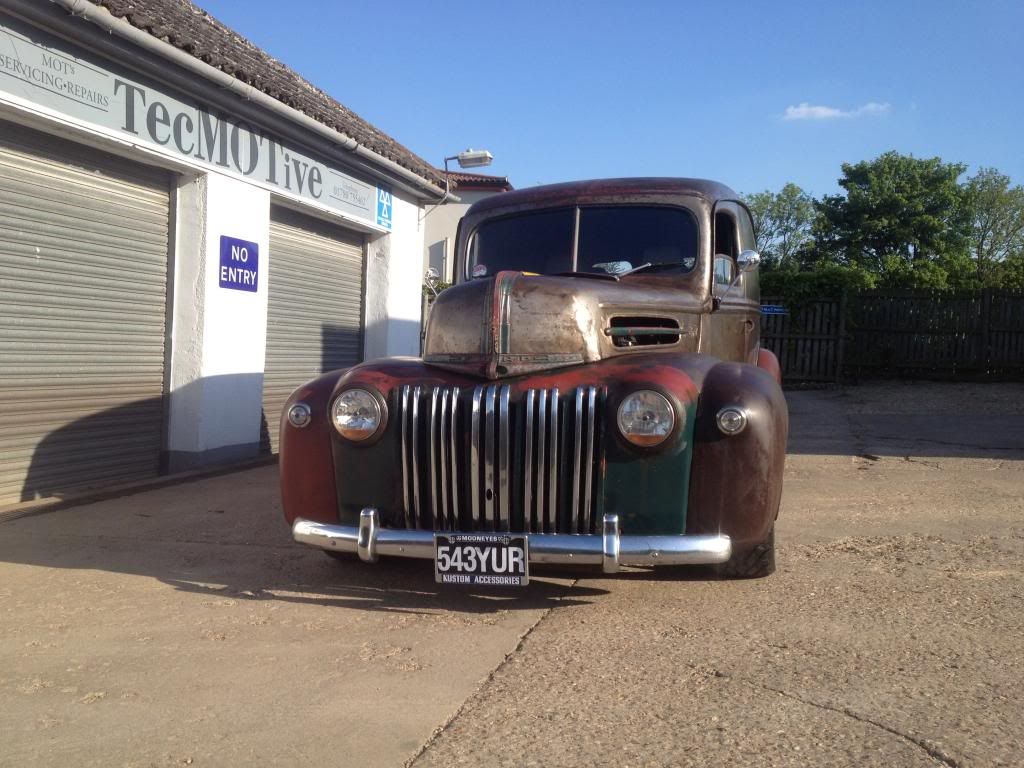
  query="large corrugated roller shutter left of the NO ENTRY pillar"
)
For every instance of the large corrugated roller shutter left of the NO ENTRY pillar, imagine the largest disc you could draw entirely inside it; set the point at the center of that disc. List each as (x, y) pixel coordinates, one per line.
(83, 295)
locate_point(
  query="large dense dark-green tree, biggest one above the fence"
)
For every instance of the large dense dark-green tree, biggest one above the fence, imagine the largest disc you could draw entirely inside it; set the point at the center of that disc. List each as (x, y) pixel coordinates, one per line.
(899, 217)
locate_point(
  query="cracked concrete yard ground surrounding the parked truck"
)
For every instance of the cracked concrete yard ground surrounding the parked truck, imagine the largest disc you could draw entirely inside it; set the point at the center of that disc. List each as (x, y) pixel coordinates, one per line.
(181, 627)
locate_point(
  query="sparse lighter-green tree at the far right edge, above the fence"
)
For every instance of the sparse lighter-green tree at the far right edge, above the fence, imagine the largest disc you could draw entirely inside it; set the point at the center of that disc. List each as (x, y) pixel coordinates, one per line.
(997, 219)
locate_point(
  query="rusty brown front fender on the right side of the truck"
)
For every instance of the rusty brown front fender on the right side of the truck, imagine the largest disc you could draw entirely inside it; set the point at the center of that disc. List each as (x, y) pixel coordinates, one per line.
(737, 482)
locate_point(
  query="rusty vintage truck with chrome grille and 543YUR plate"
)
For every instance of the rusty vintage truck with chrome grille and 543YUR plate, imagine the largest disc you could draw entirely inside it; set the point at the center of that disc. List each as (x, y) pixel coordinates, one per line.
(592, 391)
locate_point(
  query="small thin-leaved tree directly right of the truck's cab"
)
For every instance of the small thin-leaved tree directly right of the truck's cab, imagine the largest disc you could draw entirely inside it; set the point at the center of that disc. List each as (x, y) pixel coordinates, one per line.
(783, 225)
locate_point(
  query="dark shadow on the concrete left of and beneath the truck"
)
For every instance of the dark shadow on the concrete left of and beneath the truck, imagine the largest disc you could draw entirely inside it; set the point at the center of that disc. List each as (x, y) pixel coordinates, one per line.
(226, 537)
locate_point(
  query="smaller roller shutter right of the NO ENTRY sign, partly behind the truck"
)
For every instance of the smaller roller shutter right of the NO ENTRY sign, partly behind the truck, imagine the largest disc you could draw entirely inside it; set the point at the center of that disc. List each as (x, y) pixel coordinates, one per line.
(315, 317)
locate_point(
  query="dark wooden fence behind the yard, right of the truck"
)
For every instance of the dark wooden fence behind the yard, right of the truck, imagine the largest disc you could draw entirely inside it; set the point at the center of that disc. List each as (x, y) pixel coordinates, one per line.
(900, 334)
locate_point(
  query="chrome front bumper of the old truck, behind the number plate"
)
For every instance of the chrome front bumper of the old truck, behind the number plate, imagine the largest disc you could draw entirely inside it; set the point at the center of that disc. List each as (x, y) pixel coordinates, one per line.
(610, 550)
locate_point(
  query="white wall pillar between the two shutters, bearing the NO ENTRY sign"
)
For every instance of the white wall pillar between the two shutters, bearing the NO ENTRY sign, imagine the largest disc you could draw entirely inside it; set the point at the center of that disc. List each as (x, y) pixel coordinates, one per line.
(219, 337)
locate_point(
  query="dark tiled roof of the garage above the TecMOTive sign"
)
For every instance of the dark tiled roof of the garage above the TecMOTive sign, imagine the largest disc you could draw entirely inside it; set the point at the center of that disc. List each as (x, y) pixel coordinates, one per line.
(191, 29)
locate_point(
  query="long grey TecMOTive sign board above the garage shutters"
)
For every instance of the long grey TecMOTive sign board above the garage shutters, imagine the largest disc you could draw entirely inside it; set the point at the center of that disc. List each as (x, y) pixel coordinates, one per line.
(51, 73)
